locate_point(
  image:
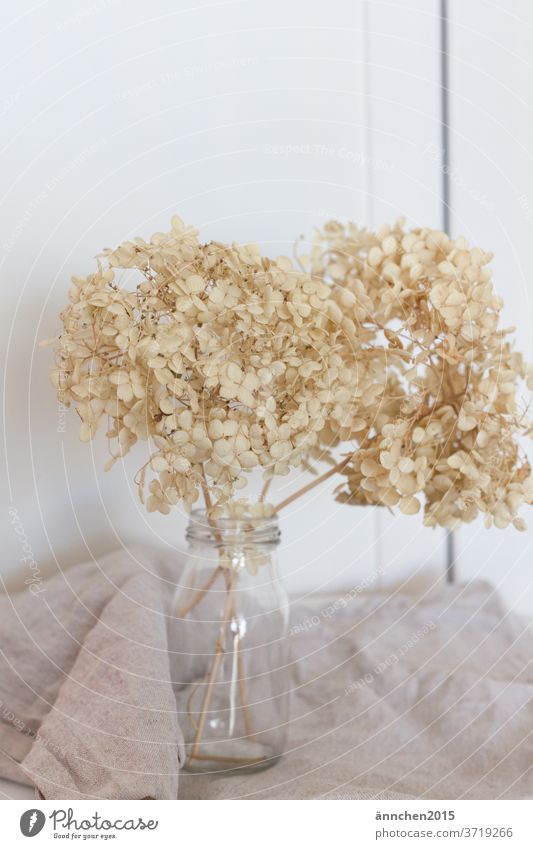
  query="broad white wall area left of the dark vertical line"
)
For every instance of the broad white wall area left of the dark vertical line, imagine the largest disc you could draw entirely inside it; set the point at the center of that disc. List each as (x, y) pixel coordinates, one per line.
(252, 120)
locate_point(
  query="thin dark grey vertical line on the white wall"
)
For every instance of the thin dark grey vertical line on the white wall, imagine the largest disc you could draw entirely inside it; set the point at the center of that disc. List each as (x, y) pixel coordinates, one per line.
(446, 199)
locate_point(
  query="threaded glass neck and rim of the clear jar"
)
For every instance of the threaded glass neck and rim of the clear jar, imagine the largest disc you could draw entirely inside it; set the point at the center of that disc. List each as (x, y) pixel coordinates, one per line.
(228, 531)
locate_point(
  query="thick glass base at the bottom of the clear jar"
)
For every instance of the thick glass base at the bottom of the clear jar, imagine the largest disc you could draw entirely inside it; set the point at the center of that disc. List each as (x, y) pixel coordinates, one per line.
(232, 756)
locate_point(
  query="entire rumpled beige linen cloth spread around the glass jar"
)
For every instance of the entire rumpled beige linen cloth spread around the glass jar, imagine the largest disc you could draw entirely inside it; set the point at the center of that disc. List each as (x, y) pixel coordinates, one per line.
(392, 697)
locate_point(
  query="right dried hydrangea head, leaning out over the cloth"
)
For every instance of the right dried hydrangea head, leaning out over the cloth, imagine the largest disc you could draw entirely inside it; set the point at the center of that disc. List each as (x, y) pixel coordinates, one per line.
(434, 409)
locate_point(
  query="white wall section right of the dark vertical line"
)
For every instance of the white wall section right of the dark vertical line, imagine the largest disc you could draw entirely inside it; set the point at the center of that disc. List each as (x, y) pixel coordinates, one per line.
(491, 50)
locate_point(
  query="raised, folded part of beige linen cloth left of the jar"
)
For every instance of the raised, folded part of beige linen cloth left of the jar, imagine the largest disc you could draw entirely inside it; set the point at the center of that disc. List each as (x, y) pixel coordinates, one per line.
(86, 707)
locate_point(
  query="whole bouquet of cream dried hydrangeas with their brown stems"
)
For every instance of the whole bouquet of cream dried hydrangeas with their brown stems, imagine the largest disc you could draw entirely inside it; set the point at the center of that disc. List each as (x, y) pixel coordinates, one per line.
(380, 354)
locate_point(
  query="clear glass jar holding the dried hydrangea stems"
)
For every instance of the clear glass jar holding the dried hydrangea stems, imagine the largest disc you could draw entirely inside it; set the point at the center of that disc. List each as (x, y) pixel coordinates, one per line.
(229, 646)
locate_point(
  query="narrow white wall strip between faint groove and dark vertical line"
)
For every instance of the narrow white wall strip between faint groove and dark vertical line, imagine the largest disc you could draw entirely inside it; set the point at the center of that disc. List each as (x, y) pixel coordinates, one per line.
(404, 116)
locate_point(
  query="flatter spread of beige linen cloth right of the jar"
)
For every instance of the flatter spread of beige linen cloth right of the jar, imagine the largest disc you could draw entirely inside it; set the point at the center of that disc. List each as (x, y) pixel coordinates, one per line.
(398, 699)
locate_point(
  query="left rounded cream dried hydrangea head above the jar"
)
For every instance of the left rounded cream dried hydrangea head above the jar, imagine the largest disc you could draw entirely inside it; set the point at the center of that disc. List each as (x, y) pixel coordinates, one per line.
(217, 356)
